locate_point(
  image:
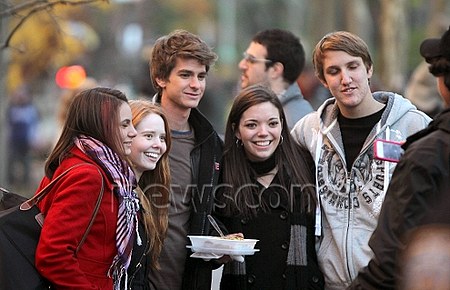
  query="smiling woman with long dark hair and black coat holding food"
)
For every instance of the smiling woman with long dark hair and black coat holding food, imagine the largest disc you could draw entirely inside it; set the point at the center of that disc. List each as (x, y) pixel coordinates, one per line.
(267, 193)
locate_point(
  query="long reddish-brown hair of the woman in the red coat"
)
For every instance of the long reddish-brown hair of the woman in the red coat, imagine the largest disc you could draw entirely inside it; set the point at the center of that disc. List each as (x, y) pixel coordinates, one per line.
(95, 113)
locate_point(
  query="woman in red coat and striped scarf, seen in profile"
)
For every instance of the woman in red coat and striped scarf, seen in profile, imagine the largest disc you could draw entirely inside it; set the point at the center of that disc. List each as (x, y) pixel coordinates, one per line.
(97, 136)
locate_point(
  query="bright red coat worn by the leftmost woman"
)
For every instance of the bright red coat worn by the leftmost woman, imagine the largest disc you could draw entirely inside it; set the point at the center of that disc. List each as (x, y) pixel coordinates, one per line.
(67, 209)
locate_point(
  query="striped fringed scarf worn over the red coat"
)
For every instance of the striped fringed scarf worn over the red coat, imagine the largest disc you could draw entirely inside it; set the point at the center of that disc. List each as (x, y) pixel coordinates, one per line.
(124, 182)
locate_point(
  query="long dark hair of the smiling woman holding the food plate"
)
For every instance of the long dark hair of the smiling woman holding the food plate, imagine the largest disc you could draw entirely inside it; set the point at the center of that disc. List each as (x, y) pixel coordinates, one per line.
(292, 159)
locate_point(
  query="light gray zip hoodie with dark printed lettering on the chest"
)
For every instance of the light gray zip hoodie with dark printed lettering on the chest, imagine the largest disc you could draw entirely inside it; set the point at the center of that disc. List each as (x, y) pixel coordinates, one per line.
(351, 201)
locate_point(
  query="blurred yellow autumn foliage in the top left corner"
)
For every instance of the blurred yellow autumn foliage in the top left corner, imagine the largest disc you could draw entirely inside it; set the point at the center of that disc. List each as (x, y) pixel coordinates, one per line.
(41, 37)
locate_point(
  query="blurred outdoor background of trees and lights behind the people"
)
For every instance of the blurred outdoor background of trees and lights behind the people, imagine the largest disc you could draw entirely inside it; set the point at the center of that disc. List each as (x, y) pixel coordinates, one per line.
(109, 42)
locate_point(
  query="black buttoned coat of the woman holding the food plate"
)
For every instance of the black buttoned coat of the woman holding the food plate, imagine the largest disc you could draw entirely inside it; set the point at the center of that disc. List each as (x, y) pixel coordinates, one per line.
(267, 268)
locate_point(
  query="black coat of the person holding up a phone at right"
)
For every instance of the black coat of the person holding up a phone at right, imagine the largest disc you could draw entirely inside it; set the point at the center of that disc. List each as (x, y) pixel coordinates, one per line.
(420, 181)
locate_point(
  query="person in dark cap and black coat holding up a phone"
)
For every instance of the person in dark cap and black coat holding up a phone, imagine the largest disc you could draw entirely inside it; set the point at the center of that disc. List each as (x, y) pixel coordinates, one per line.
(418, 198)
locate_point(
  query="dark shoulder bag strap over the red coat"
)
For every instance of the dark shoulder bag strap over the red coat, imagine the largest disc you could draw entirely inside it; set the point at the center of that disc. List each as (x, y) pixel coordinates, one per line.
(26, 205)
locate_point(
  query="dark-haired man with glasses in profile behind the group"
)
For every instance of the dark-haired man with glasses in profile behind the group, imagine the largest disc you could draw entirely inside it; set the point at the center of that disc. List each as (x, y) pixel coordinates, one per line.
(275, 57)
